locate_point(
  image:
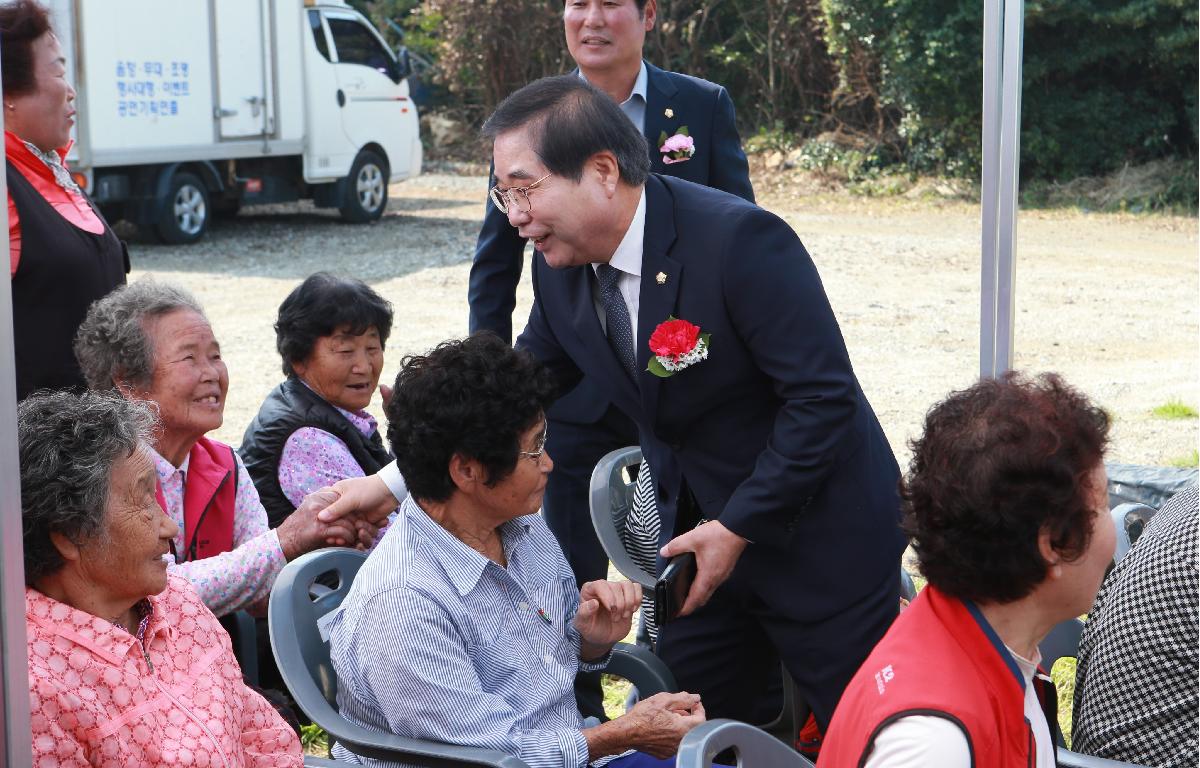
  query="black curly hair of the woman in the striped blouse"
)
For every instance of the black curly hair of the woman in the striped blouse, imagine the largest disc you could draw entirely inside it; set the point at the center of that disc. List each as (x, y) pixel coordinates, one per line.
(473, 398)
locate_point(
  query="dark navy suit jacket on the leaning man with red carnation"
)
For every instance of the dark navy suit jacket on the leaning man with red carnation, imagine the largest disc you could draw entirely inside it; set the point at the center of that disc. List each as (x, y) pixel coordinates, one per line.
(772, 434)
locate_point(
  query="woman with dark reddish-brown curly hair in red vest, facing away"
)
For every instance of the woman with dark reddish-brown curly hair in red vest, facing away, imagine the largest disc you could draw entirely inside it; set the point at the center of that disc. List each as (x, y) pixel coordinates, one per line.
(1006, 502)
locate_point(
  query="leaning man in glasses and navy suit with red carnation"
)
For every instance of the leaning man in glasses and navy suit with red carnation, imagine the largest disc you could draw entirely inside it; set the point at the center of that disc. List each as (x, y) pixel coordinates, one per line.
(763, 431)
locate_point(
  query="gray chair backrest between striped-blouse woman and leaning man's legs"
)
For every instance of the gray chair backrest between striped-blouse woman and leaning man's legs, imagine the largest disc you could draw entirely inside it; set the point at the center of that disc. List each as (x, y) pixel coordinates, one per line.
(611, 497)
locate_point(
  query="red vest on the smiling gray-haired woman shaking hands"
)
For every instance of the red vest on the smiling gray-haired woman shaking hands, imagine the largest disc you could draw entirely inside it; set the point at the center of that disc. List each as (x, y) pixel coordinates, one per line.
(211, 495)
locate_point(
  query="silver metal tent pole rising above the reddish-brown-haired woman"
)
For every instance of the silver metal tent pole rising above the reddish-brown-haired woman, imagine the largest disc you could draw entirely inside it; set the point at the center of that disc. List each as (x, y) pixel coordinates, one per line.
(1004, 33)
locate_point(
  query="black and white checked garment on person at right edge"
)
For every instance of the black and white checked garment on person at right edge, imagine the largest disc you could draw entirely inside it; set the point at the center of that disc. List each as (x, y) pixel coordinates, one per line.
(1137, 681)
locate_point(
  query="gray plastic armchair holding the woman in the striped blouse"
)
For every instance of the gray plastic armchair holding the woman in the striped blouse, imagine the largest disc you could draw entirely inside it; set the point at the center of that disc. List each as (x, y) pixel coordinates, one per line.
(297, 619)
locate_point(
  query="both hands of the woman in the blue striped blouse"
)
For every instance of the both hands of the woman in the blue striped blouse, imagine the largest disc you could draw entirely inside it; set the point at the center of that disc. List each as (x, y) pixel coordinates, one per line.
(655, 725)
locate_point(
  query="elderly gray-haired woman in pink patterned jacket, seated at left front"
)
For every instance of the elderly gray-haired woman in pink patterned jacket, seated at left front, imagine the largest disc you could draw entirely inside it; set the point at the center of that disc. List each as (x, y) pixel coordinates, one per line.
(127, 665)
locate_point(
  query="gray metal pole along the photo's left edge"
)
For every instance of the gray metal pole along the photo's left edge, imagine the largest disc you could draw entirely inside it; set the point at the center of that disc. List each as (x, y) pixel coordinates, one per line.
(16, 751)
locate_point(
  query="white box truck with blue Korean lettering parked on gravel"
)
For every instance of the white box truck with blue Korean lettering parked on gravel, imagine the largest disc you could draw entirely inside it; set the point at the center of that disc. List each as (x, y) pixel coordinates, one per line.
(189, 109)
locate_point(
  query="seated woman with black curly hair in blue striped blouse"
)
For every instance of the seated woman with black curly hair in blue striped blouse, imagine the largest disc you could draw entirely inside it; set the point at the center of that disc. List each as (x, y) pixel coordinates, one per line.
(476, 590)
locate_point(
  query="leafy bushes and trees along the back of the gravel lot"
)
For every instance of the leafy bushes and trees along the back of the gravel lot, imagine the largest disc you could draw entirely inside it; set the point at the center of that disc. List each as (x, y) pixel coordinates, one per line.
(1107, 83)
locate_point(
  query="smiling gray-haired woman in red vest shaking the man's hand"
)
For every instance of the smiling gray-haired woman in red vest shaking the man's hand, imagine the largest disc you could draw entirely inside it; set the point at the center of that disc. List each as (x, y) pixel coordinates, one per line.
(153, 343)
